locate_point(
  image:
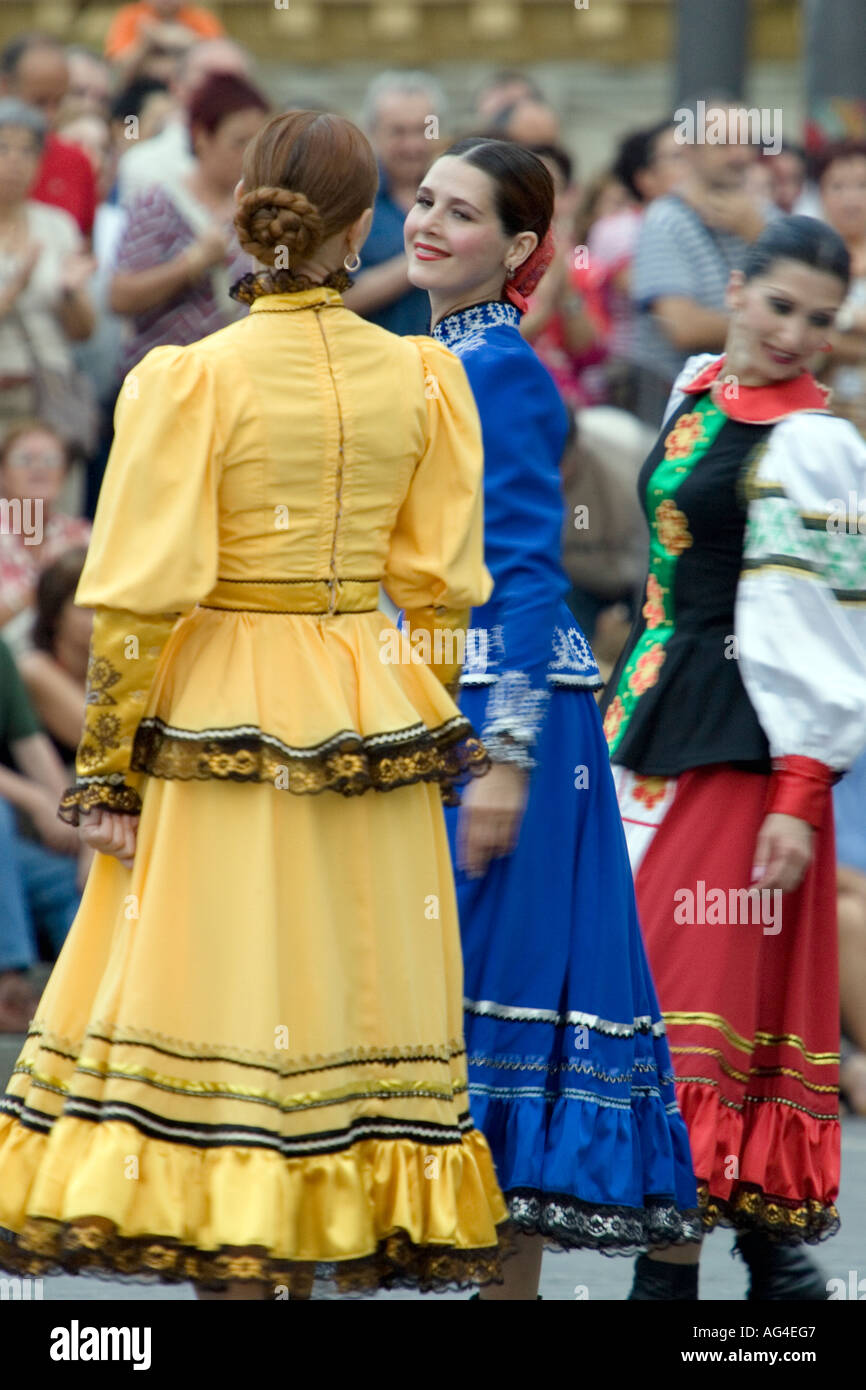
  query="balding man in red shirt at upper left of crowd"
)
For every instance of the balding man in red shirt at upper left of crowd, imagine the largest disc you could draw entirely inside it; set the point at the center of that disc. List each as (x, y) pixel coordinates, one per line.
(34, 67)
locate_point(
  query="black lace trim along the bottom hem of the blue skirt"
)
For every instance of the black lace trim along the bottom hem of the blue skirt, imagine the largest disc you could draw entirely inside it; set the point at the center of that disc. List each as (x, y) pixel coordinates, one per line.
(569, 1224)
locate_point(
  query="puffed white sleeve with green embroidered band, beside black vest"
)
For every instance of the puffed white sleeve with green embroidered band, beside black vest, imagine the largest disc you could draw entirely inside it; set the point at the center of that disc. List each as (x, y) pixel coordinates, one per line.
(801, 601)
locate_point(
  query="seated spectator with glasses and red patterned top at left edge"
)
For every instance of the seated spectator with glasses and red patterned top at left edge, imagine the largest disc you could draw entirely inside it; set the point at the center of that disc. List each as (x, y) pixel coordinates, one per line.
(34, 468)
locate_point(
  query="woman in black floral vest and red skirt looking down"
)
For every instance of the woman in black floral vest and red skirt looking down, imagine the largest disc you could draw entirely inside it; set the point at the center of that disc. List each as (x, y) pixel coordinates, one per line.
(739, 701)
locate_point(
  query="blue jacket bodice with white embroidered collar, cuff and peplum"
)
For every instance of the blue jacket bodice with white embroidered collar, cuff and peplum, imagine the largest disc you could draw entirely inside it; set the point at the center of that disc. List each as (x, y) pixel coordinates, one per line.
(525, 641)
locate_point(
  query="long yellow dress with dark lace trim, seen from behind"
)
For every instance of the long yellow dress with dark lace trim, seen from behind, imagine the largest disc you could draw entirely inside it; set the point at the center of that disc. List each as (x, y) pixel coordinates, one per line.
(250, 1057)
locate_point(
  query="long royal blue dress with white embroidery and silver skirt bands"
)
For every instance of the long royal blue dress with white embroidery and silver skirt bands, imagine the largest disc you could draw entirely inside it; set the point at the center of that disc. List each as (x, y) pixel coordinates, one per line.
(571, 1074)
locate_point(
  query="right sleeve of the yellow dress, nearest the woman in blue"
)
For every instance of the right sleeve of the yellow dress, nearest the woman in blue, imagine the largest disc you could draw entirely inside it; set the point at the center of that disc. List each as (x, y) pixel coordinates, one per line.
(436, 565)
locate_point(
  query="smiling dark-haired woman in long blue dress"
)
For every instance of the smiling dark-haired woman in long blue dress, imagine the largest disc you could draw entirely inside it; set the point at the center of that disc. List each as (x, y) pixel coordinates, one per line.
(571, 1074)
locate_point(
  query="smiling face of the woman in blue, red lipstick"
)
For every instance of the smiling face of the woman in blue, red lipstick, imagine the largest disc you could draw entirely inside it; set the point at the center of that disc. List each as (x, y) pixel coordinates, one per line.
(454, 238)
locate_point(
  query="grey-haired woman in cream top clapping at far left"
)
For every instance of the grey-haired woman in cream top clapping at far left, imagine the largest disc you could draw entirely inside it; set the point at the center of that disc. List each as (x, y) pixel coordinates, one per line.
(44, 304)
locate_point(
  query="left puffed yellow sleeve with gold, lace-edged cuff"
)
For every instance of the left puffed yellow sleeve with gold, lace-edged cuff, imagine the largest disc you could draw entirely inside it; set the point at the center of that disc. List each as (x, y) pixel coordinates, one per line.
(152, 557)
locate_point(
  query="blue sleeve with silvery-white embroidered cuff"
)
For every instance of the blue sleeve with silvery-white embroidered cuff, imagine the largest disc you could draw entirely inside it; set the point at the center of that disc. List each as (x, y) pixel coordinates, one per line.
(525, 429)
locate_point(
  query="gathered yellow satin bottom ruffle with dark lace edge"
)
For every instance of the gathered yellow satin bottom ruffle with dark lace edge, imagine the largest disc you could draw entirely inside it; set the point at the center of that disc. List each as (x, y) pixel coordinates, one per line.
(383, 1214)
